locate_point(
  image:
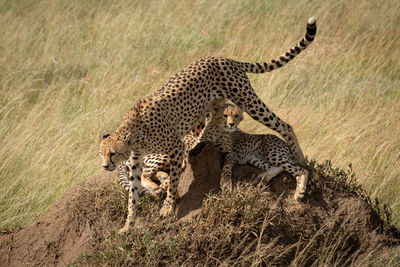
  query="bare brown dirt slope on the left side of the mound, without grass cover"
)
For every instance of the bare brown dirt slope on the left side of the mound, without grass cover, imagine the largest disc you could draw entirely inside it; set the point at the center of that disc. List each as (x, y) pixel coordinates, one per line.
(57, 238)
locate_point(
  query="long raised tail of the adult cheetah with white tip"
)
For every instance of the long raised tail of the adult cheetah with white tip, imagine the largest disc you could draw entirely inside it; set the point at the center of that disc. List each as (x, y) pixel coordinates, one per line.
(287, 56)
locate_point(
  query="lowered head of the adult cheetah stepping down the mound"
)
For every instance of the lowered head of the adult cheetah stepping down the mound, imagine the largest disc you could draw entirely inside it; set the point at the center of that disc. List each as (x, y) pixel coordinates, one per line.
(113, 150)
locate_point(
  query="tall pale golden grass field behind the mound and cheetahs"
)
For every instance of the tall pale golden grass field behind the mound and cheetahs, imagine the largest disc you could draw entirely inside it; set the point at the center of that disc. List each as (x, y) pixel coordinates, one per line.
(70, 69)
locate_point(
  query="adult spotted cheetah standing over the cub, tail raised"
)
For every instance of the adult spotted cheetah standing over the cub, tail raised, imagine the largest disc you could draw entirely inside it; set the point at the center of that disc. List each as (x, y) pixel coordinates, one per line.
(157, 123)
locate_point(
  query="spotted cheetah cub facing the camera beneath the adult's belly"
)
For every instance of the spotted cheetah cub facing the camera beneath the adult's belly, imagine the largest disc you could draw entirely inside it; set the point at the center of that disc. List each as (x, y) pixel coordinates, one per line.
(265, 151)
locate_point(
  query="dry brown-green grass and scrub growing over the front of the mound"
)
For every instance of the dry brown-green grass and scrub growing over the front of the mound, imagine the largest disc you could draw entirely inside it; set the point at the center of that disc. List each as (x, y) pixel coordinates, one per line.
(248, 227)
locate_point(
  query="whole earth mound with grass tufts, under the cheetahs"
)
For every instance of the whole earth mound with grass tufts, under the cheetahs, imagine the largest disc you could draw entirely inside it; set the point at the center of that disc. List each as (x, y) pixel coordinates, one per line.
(259, 224)
